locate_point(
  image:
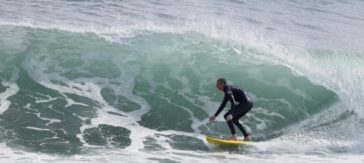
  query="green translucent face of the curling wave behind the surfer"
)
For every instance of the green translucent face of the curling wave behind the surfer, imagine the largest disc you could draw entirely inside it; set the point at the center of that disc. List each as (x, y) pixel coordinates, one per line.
(166, 82)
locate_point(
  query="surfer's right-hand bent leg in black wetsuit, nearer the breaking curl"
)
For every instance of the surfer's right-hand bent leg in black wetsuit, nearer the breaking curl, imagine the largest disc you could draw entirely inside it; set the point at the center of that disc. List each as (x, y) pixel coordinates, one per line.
(239, 112)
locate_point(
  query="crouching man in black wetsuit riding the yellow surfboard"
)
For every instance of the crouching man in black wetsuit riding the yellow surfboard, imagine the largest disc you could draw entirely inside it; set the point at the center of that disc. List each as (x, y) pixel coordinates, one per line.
(240, 105)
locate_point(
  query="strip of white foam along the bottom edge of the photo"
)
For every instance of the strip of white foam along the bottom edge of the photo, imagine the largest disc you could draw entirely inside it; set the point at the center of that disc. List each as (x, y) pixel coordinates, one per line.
(110, 155)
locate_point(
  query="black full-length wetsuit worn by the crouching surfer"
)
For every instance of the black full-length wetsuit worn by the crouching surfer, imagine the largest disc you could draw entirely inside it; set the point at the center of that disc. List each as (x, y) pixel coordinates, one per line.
(235, 95)
